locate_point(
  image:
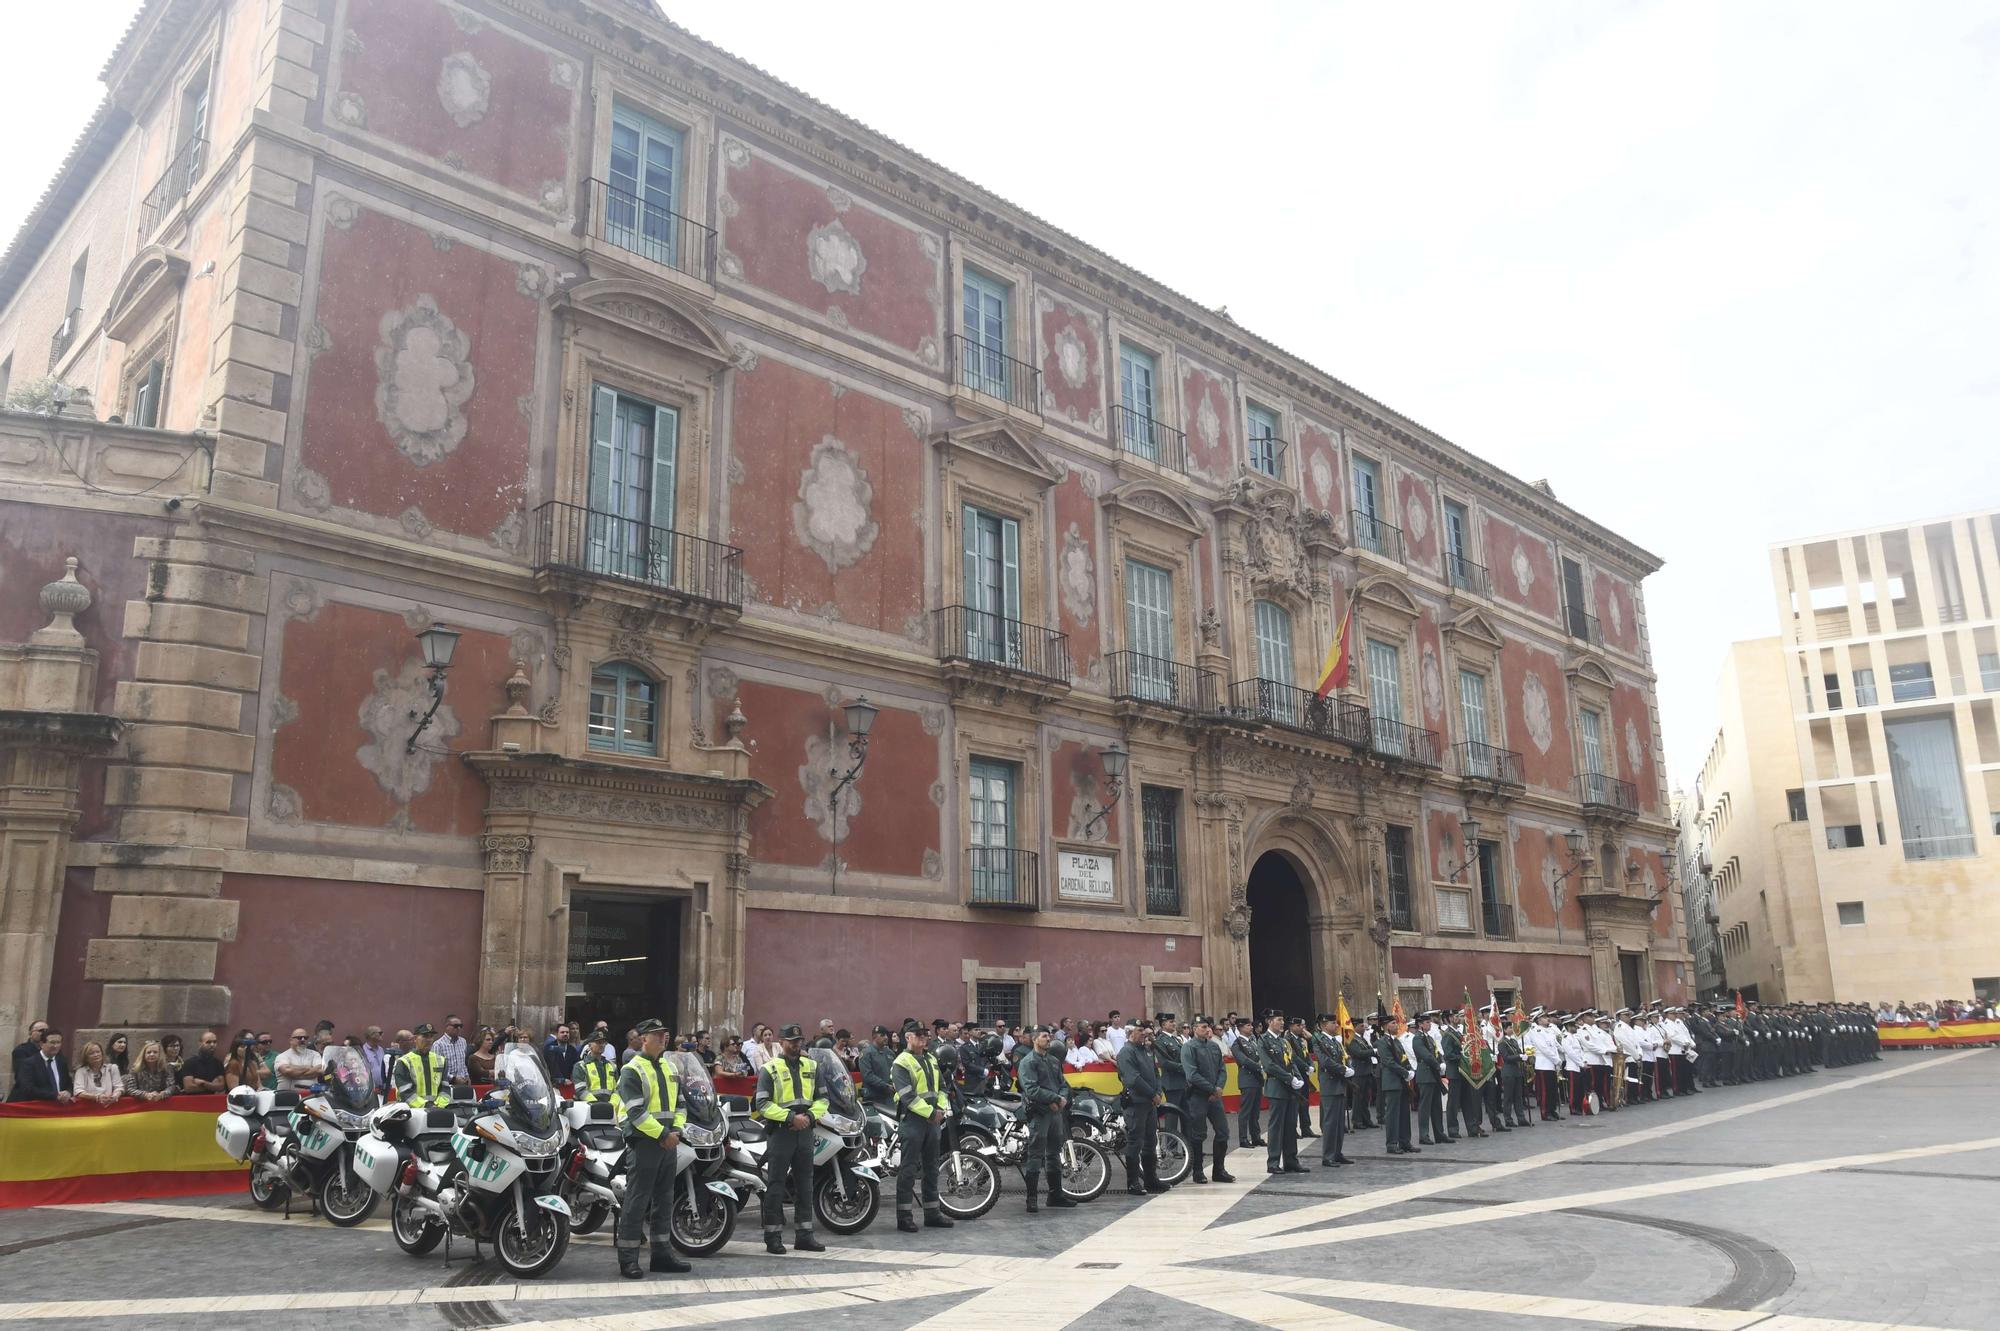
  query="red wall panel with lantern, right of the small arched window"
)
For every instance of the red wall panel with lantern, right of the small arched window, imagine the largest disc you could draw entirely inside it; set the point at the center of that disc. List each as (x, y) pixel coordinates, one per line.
(897, 822)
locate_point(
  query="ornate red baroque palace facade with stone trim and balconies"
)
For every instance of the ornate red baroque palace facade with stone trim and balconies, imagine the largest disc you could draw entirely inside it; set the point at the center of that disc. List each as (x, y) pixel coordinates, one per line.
(701, 413)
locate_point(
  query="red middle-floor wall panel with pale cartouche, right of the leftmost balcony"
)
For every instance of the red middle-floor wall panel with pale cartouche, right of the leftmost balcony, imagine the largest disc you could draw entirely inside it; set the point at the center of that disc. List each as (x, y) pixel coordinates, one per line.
(839, 469)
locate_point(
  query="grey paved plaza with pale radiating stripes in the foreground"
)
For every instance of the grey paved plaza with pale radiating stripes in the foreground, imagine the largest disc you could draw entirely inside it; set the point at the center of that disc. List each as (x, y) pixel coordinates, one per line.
(1839, 1202)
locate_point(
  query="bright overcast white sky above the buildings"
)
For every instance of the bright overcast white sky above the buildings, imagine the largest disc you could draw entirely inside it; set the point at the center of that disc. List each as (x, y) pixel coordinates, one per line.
(1725, 275)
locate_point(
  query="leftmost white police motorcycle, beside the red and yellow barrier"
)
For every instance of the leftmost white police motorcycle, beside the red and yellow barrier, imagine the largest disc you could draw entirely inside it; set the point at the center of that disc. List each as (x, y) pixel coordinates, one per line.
(305, 1144)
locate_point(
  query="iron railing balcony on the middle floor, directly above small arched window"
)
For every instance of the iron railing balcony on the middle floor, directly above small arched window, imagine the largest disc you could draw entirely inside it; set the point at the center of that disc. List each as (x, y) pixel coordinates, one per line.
(581, 543)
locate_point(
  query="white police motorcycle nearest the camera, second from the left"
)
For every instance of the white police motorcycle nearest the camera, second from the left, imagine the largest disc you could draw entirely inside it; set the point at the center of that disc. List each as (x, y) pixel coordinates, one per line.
(497, 1184)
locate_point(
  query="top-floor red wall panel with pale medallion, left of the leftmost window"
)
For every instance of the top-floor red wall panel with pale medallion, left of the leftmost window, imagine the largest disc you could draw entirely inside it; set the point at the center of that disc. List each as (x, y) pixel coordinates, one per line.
(419, 75)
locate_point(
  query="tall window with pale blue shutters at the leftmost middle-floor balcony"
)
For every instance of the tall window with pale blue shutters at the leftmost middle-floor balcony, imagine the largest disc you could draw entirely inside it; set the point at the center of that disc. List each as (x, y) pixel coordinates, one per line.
(635, 449)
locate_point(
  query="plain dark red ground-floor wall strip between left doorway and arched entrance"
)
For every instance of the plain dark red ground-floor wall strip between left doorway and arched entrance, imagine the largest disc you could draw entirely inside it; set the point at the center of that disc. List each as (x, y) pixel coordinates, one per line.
(803, 966)
